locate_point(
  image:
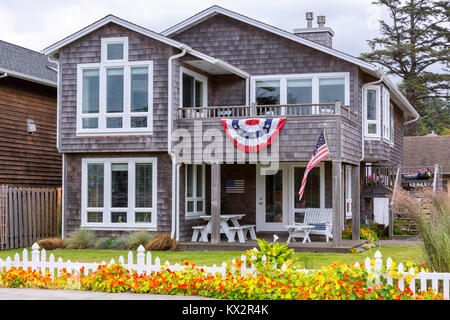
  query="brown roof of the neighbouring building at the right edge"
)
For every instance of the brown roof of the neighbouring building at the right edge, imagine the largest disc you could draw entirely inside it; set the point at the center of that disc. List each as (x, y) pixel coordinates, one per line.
(427, 151)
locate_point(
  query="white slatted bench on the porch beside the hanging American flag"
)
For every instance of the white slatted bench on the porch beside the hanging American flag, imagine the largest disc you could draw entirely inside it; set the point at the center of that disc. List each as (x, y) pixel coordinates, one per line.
(316, 216)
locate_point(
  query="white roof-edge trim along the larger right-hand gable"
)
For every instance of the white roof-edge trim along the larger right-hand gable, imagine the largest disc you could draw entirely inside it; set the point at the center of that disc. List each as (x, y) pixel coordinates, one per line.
(365, 66)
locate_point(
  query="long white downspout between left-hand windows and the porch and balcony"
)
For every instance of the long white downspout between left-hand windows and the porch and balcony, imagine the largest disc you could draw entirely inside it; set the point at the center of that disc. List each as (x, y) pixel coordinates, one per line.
(175, 218)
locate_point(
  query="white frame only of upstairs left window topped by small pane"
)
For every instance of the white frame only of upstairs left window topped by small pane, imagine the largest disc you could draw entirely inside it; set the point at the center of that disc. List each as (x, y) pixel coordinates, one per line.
(126, 114)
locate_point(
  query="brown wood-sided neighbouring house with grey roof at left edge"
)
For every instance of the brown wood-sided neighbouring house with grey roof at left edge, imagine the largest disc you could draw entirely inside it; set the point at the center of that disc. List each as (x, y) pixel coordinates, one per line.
(28, 153)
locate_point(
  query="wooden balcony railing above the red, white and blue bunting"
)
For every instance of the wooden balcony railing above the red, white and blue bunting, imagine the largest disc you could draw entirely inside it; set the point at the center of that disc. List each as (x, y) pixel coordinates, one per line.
(288, 110)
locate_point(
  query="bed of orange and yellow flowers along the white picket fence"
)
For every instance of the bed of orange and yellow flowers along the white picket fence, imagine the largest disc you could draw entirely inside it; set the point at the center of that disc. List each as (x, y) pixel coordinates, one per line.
(335, 282)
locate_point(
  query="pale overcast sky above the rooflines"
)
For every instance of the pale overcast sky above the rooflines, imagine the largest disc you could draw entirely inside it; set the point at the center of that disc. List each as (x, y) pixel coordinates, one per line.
(36, 24)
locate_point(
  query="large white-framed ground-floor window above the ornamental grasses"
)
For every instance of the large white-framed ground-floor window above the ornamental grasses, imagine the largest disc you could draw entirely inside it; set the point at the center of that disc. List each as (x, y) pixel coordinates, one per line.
(119, 193)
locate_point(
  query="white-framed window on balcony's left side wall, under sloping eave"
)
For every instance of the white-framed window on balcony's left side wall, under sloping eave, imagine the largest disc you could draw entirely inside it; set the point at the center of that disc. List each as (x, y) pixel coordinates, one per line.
(193, 89)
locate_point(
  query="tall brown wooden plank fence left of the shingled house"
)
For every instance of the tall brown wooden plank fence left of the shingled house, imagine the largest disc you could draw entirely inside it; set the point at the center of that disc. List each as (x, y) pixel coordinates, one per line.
(28, 214)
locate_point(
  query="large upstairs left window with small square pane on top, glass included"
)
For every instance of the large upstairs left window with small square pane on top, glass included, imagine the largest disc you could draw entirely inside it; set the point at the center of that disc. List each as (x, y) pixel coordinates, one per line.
(115, 96)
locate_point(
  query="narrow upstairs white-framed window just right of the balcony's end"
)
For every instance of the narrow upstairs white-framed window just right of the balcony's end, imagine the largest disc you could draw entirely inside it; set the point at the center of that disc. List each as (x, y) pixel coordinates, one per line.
(372, 112)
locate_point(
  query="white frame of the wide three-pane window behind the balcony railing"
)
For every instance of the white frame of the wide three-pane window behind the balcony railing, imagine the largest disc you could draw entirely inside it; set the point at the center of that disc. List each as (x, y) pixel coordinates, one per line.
(315, 77)
